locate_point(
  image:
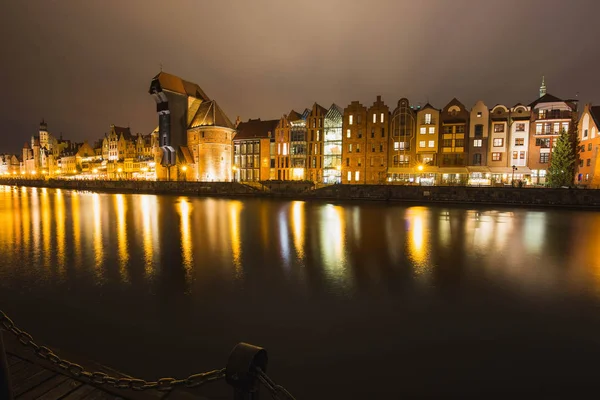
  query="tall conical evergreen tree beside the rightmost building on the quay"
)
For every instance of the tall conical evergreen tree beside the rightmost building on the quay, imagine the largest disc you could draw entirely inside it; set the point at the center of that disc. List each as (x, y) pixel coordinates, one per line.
(563, 164)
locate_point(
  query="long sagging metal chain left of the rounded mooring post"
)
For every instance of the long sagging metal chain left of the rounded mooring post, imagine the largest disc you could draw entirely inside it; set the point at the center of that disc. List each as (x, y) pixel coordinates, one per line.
(100, 378)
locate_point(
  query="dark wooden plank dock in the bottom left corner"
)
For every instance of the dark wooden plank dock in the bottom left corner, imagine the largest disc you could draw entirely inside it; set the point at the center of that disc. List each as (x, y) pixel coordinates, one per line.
(33, 378)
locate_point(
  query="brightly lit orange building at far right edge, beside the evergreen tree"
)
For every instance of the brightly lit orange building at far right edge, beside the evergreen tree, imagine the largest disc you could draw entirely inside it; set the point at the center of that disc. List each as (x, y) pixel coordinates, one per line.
(588, 174)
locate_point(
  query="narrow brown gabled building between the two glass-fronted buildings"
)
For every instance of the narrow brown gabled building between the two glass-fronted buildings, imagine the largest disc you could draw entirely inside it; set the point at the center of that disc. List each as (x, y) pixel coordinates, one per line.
(315, 128)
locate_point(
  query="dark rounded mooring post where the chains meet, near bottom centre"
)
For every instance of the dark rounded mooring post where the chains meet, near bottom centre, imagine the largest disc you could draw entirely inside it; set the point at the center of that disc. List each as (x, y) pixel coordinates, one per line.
(240, 372)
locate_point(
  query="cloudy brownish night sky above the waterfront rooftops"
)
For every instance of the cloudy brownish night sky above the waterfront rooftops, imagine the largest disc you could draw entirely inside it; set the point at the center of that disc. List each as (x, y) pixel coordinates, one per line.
(83, 65)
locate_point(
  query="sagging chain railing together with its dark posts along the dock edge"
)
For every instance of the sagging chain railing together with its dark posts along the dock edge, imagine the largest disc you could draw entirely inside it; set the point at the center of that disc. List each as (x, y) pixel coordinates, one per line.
(245, 370)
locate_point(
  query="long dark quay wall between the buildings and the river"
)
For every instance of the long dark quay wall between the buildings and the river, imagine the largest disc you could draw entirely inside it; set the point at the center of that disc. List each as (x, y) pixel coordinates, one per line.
(508, 196)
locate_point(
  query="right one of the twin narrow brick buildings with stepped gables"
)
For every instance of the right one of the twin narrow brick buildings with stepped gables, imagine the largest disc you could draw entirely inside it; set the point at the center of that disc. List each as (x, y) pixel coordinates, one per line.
(376, 149)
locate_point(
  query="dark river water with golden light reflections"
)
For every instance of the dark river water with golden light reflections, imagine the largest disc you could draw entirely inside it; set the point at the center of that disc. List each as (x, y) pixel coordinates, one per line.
(352, 301)
